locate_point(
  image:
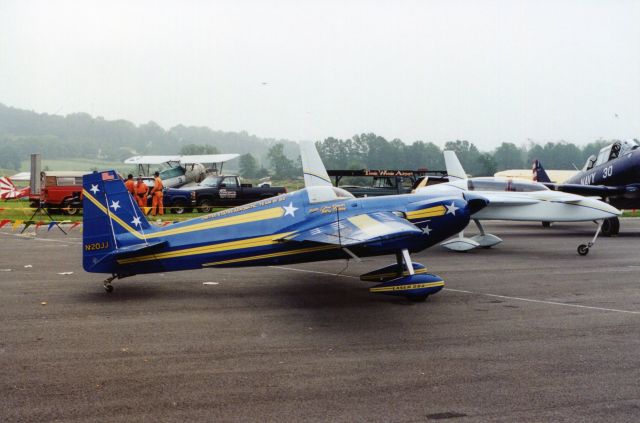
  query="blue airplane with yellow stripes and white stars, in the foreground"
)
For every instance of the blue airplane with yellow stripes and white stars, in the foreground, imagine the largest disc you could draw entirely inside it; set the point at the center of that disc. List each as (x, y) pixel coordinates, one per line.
(319, 222)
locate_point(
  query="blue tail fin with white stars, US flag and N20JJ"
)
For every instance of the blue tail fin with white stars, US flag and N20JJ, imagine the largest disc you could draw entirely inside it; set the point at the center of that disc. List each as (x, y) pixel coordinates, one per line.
(112, 221)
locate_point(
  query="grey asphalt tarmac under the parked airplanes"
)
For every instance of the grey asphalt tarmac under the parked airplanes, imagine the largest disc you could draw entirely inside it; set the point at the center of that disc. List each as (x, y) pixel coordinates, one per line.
(526, 331)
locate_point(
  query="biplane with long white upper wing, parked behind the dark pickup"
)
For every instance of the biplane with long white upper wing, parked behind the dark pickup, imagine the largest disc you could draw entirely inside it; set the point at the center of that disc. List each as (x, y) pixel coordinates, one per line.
(181, 170)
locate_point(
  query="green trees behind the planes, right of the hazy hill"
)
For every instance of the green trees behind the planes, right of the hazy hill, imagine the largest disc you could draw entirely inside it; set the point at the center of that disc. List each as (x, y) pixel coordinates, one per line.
(371, 151)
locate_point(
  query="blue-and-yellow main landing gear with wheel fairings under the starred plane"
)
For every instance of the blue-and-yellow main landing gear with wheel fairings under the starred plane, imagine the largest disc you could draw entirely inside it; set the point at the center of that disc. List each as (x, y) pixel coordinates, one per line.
(404, 279)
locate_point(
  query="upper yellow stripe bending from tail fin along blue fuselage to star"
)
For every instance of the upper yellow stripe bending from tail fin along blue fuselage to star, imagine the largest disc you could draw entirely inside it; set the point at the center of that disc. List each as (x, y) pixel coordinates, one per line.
(270, 213)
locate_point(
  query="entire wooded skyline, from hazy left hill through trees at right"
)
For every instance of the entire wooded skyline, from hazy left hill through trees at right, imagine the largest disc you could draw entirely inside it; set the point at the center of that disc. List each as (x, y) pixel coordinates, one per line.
(80, 135)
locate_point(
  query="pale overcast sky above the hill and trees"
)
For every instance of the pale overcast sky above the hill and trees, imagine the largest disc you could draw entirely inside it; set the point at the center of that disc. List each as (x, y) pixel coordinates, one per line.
(485, 71)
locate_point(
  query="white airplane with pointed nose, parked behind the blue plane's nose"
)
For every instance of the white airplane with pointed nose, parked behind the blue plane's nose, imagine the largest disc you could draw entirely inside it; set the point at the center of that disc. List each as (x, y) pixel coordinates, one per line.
(518, 200)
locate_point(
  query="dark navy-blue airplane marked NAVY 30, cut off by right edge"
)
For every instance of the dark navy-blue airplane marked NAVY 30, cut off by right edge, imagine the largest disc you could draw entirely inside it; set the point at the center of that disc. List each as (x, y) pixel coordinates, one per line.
(614, 176)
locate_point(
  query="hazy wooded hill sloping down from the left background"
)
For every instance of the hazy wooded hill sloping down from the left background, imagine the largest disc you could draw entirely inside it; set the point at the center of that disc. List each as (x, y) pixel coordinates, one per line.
(80, 135)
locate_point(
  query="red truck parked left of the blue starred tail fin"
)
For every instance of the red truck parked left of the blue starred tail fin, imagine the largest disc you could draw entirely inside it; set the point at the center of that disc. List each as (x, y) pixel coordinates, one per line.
(60, 191)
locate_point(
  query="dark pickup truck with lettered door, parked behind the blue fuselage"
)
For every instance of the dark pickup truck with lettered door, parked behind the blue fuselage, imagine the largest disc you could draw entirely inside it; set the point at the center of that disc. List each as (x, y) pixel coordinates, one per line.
(216, 191)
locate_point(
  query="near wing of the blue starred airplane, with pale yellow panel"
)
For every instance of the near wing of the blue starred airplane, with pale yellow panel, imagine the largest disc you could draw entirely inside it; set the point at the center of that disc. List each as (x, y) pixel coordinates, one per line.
(359, 229)
